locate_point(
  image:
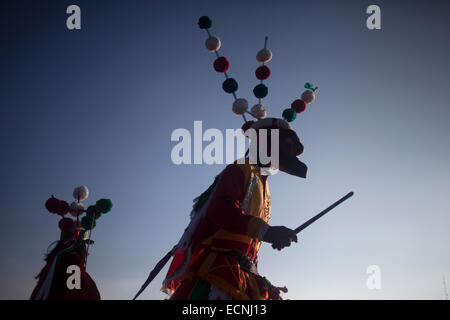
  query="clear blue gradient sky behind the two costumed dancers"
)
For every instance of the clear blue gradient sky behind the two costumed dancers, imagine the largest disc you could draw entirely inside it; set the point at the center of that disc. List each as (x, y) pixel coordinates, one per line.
(97, 107)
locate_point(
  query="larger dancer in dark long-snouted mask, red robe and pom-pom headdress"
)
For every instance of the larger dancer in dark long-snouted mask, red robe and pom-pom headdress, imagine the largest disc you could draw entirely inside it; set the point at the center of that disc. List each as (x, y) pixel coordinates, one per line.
(217, 256)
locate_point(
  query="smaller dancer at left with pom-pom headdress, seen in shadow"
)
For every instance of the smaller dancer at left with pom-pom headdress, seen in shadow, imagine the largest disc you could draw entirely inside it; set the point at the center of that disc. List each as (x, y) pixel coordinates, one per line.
(70, 251)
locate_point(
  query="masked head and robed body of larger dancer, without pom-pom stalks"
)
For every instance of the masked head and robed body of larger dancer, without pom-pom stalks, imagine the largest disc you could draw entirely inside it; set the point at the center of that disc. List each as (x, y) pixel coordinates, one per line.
(217, 256)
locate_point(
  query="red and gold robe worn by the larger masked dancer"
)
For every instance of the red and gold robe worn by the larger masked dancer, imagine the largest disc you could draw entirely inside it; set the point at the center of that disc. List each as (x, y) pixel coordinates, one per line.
(227, 233)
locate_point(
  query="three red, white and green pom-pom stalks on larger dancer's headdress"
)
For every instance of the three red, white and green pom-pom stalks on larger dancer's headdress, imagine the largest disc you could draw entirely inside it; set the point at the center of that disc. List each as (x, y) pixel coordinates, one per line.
(230, 85)
